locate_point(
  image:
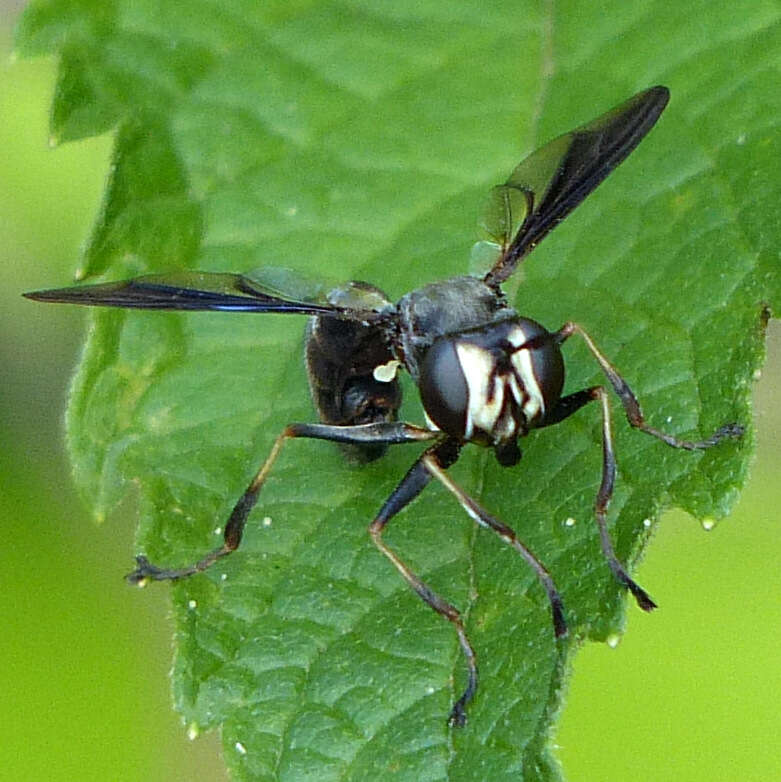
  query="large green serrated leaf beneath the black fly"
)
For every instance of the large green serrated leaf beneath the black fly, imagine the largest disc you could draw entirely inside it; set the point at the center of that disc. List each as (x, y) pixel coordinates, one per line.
(358, 141)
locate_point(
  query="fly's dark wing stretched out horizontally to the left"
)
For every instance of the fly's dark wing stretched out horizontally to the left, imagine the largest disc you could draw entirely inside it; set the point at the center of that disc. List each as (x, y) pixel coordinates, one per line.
(192, 290)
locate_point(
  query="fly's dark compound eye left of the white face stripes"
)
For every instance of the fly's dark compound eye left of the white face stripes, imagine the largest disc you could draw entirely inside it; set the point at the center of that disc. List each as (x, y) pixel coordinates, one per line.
(443, 387)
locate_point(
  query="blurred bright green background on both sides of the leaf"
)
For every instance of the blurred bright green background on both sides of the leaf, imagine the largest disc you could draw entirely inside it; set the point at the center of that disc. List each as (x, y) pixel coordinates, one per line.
(691, 693)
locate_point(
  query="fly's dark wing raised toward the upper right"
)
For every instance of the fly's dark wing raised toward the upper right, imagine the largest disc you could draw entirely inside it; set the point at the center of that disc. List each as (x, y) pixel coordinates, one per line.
(546, 186)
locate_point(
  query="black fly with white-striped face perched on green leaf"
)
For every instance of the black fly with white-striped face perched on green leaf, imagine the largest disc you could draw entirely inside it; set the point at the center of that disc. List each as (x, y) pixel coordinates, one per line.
(485, 374)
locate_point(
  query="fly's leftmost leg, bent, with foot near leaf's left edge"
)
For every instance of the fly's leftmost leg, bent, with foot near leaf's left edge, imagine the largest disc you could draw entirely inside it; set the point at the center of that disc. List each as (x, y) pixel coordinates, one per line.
(390, 433)
